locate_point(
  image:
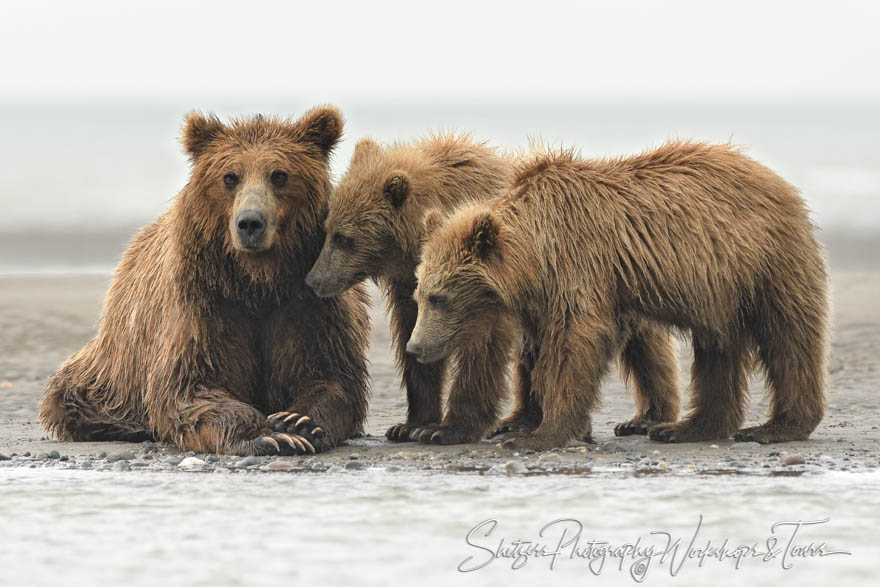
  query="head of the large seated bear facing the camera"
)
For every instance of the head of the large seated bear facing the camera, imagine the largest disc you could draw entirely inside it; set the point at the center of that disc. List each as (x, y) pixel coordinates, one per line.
(259, 187)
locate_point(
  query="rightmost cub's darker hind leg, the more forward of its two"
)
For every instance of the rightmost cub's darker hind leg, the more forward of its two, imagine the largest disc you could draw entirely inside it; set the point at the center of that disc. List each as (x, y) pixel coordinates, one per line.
(718, 394)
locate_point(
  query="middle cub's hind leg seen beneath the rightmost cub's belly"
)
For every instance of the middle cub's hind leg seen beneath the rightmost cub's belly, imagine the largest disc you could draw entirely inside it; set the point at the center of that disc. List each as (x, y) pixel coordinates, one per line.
(648, 360)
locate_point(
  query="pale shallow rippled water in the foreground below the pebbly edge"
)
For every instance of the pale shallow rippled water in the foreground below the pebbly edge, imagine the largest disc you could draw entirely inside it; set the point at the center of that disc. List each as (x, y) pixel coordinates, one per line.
(377, 527)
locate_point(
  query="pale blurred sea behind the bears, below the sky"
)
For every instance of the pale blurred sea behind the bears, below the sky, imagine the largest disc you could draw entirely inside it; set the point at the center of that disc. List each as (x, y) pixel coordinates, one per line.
(83, 170)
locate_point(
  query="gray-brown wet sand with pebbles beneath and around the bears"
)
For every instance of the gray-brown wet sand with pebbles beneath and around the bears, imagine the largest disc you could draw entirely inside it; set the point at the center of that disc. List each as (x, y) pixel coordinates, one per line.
(45, 318)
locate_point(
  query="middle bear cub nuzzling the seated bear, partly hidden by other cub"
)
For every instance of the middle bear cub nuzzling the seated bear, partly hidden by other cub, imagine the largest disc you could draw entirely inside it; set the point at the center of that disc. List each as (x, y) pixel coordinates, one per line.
(375, 230)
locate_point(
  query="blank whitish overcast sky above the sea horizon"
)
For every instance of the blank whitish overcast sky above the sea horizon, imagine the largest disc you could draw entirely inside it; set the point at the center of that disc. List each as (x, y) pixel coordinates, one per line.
(677, 51)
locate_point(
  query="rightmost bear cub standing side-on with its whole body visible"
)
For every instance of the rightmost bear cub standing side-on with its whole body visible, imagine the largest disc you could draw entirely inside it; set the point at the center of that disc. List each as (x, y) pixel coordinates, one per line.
(582, 253)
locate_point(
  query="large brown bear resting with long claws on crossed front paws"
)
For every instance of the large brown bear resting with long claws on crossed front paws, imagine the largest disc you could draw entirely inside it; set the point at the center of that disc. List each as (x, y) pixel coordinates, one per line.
(208, 325)
